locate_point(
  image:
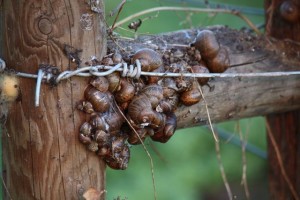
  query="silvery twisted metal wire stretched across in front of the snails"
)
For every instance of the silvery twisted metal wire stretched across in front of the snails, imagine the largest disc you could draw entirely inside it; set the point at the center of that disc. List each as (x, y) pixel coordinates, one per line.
(131, 70)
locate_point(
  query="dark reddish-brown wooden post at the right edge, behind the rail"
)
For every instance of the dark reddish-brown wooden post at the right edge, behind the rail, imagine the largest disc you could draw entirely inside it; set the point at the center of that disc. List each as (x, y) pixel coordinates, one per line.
(283, 22)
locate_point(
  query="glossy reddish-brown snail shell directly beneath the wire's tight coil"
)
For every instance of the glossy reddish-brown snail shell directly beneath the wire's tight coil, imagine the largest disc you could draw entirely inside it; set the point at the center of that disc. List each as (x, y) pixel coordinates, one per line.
(126, 92)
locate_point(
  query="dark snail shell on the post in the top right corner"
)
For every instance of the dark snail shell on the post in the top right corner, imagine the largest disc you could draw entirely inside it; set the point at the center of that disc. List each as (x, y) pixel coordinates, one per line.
(289, 11)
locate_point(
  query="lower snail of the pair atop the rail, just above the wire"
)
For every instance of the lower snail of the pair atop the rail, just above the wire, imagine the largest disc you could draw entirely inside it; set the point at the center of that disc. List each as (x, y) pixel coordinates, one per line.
(220, 63)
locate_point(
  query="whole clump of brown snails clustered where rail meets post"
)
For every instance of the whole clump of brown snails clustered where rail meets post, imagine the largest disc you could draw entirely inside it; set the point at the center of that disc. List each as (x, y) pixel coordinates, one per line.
(125, 111)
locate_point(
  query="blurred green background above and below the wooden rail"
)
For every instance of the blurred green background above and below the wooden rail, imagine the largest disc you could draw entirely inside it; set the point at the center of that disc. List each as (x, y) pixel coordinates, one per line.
(186, 167)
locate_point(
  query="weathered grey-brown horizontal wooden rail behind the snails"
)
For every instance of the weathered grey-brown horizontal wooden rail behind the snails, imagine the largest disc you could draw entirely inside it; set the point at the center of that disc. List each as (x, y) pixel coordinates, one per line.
(233, 98)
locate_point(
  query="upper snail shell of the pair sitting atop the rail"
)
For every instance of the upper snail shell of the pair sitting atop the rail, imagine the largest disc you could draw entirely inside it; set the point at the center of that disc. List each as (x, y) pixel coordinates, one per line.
(206, 42)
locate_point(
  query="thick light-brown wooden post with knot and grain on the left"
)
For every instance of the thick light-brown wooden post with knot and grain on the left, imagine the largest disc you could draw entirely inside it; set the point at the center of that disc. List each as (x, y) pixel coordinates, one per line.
(43, 158)
